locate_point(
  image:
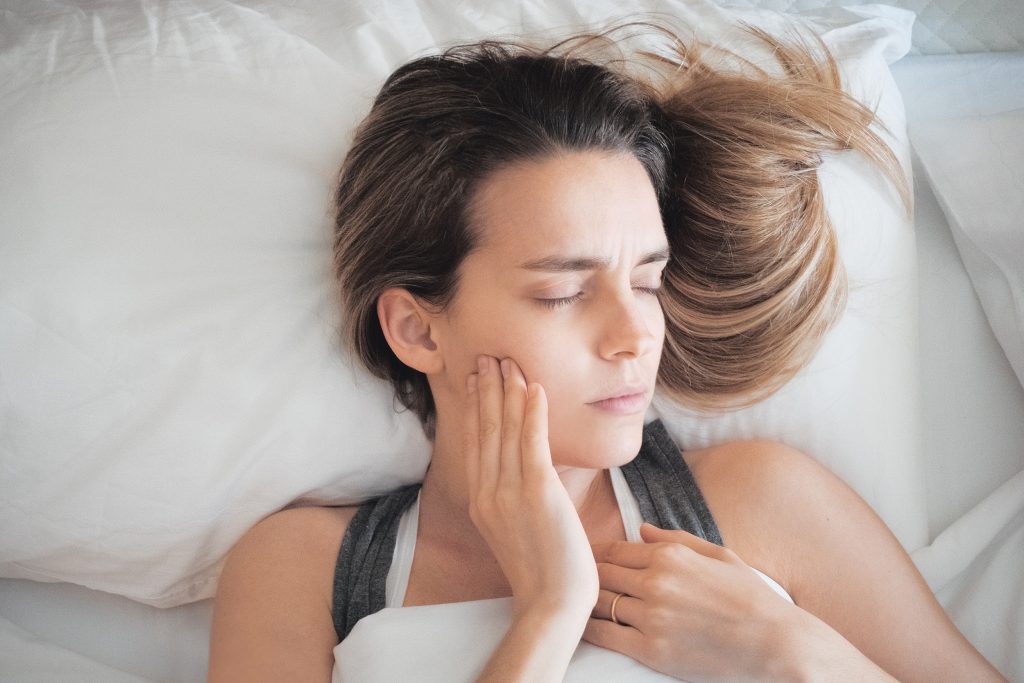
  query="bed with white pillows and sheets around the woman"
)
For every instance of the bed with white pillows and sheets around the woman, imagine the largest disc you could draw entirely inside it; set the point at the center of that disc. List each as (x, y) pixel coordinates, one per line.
(169, 370)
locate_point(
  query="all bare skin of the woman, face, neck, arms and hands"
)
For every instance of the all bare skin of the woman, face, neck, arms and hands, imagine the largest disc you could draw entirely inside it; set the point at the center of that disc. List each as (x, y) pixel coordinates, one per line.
(520, 473)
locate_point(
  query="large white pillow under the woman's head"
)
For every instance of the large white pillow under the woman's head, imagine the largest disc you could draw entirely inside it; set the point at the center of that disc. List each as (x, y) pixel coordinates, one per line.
(170, 370)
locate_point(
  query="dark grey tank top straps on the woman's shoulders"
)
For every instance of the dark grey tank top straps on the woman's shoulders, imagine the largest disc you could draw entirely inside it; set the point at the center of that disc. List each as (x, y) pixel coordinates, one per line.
(661, 482)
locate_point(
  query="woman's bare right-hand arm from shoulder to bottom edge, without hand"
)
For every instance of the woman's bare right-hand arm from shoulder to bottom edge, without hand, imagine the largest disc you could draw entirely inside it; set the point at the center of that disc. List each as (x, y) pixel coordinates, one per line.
(838, 561)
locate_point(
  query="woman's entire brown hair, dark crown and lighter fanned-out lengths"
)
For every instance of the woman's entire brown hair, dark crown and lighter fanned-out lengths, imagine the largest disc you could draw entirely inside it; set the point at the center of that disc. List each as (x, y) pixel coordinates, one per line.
(755, 279)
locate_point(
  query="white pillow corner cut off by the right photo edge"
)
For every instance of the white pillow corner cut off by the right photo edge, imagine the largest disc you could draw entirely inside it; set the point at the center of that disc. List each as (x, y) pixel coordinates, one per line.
(974, 165)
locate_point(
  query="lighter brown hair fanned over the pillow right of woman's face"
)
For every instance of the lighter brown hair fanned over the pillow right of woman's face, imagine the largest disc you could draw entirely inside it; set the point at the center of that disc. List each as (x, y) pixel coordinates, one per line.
(756, 278)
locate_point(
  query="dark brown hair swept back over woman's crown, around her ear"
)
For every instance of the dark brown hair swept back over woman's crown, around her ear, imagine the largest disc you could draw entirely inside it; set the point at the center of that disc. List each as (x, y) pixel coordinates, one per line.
(438, 129)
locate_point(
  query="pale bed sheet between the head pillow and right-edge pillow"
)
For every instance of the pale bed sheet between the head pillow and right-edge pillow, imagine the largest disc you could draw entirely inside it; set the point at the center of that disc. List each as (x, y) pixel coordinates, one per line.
(973, 405)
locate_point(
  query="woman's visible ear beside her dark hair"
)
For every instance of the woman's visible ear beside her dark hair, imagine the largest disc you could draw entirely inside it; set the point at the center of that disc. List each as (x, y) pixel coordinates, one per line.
(407, 326)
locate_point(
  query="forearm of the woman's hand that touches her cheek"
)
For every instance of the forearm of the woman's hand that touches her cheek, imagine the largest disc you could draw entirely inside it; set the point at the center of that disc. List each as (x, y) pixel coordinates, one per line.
(538, 647)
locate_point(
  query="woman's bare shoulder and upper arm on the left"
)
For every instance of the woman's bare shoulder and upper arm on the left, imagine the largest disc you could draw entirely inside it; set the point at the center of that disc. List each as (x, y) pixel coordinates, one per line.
(273, 610)
